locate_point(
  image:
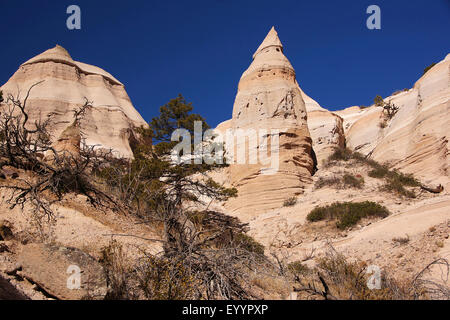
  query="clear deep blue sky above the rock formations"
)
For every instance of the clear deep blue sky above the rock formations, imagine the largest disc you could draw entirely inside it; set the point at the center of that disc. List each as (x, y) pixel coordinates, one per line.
(200, 48)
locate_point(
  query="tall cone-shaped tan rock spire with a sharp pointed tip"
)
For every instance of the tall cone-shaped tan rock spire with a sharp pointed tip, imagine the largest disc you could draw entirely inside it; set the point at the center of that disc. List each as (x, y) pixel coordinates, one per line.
(269, 98)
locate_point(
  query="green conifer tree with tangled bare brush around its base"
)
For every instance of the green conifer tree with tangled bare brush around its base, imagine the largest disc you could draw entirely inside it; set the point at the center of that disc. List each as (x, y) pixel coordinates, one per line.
(210, 248)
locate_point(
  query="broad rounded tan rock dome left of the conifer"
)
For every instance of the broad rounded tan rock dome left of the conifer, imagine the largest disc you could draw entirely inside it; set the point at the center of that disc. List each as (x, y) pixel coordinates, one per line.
(66, 86)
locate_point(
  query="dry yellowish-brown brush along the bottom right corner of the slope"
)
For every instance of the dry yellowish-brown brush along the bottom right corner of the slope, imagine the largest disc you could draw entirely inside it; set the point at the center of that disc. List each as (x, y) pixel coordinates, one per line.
(335, 278)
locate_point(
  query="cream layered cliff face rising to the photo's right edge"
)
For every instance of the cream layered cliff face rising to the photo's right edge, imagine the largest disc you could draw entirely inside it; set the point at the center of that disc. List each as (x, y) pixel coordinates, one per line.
(416, 140)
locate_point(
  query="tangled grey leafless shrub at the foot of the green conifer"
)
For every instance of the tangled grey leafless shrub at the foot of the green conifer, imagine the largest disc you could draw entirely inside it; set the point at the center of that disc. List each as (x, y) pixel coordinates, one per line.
(211, 252)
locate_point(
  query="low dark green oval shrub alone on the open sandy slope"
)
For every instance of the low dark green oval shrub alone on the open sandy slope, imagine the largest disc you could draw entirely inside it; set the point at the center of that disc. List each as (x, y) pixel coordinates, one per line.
(347, 214)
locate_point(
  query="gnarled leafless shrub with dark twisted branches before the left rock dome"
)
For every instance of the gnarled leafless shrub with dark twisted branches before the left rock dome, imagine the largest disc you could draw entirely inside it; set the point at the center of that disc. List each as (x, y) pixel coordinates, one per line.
(54, 173)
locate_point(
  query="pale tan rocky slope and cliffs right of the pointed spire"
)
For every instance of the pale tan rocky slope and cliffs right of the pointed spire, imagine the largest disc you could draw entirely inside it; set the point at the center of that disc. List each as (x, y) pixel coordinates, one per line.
(414, 141)
